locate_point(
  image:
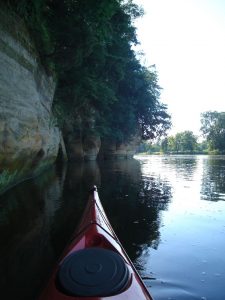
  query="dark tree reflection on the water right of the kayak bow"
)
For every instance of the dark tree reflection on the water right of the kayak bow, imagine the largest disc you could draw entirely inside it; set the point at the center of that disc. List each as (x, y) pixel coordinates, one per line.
(133, 204)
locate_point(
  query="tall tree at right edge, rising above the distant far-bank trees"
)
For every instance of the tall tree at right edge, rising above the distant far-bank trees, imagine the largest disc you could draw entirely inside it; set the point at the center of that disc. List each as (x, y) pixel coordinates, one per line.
(213, 129)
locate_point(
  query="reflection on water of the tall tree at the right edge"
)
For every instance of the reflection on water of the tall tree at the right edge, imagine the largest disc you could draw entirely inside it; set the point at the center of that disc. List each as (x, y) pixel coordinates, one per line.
(213, 179)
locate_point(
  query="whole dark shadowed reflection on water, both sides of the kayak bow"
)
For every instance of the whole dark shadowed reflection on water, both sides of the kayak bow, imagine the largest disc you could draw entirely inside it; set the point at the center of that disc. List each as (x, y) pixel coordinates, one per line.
(38, 217)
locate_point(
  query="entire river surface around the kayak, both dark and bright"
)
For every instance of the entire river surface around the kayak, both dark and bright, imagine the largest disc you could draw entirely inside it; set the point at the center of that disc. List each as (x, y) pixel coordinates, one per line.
(168, 212)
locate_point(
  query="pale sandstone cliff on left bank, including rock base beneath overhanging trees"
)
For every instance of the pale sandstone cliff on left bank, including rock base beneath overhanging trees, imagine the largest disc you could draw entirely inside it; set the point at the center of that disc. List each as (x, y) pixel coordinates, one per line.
(29, 137)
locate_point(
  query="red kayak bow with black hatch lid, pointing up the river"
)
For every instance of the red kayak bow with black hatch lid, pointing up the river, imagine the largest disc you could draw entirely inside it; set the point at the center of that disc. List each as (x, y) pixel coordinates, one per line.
(95, 266)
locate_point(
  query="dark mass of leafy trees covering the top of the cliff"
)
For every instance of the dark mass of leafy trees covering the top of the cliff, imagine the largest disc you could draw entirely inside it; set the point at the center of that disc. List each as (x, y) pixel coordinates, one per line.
(102, 88)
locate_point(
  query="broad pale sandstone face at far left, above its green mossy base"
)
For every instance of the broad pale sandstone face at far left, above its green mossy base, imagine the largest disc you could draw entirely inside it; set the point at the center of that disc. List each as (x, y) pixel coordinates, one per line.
(28, 135)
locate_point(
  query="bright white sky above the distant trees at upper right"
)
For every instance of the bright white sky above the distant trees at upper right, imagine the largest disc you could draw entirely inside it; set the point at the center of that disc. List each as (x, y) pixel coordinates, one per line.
(185, 39)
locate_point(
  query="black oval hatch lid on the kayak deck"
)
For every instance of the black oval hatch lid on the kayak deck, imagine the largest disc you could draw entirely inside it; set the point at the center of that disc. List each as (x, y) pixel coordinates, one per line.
(93, 272)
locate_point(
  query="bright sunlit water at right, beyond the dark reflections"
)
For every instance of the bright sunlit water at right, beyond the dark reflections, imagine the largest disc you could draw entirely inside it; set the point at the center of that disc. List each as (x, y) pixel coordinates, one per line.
(189, 261)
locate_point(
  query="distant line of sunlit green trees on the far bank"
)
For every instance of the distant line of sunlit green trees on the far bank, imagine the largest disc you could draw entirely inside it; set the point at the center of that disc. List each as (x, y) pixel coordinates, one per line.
(213, 133)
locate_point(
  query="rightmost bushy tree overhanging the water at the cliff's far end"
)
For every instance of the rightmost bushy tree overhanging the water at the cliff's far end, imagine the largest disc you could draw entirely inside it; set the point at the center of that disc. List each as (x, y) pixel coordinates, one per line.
(138, 110)
